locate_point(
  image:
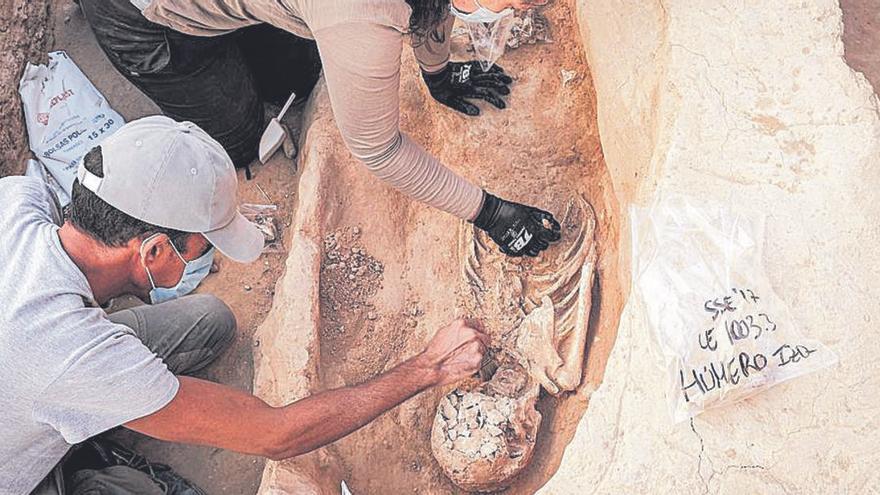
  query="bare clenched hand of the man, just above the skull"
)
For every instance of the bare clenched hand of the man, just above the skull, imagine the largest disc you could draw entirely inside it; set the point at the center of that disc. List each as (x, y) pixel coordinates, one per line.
(455, 352)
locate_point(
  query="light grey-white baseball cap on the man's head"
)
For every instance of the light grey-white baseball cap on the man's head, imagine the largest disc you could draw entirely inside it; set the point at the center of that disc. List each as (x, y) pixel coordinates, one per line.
(174, 175)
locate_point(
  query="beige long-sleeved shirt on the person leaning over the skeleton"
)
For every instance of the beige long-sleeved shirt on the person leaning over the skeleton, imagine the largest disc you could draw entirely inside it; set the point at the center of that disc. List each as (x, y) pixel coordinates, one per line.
(360, 42)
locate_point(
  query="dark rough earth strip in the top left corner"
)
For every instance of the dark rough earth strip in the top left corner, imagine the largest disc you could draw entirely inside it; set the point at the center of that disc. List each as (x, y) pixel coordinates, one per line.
(24, 36)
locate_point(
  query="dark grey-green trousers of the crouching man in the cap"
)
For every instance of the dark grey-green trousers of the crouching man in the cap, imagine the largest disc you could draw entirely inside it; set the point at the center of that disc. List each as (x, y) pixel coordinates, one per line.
(187, 333)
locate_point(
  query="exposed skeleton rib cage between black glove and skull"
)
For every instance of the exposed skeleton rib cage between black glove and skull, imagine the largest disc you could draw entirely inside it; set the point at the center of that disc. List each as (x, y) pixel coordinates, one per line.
(513, 296)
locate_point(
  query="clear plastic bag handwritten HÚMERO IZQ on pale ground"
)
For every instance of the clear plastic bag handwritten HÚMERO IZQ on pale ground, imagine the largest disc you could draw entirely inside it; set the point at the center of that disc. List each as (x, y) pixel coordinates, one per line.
(724, 334)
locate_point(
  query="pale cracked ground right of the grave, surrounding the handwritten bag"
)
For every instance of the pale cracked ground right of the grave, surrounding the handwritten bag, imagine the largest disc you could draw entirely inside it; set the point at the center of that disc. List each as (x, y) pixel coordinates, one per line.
(753, 101)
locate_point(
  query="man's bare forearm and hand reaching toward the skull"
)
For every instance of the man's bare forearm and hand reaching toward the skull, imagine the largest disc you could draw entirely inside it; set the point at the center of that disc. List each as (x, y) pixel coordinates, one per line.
(207, 413)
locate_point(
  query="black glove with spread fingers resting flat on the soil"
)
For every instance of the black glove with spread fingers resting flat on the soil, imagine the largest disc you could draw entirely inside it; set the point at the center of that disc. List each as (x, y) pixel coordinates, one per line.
(460, 80)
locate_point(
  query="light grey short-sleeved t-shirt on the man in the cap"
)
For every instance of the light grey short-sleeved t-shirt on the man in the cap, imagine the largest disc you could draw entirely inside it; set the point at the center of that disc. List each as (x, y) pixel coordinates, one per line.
(66, 372)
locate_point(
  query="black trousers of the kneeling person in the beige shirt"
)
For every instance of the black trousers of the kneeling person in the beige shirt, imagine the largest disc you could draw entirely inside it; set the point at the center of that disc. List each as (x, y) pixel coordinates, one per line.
(218, 83)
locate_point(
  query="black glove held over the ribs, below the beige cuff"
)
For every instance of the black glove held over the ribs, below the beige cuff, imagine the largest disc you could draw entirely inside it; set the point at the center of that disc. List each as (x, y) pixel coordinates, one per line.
(517, 229)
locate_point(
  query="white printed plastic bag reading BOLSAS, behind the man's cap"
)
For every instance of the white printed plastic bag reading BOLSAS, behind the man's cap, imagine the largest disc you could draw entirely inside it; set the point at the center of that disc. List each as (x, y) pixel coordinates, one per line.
(65, 116)
